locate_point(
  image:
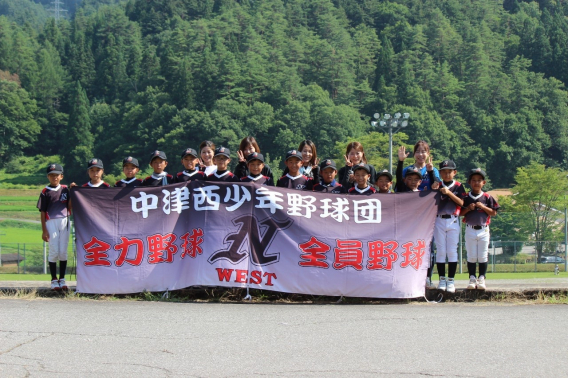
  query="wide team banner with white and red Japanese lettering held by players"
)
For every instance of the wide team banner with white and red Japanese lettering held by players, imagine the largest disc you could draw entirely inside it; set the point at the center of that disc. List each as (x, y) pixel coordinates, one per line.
(245, 235)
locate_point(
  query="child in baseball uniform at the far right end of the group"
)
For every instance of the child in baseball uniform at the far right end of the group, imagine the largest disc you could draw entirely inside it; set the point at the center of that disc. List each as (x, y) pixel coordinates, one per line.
(478, 208)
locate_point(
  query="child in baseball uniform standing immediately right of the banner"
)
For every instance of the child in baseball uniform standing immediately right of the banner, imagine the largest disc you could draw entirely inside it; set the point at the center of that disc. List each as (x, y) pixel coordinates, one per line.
(447, 227)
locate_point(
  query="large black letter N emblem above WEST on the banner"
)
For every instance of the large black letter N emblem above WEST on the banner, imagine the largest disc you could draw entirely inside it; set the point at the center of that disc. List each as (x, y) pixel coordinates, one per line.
(255, 241)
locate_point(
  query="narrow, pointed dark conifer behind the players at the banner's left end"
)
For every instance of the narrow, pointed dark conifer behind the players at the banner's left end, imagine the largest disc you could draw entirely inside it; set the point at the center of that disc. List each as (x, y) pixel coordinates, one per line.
(78, 138)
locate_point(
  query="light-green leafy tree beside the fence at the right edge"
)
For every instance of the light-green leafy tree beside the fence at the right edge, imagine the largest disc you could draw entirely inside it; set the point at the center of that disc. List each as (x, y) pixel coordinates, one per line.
(542, 202)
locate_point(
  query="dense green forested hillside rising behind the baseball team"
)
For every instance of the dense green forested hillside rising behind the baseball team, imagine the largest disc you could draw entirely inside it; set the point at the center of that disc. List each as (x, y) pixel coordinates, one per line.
(484, 82)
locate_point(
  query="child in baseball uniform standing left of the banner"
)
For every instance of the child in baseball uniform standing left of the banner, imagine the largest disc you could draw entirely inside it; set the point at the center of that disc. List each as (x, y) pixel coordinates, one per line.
(53, 204)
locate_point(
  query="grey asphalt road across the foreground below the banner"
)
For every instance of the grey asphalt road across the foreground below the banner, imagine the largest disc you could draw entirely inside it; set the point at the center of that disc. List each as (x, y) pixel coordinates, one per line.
(90, 338)
